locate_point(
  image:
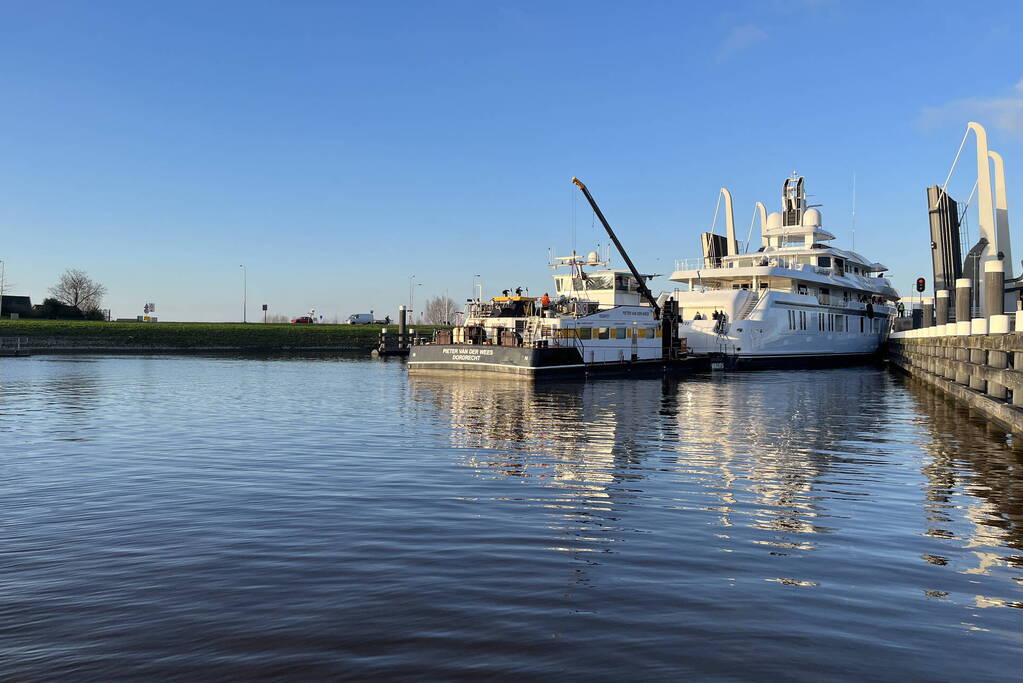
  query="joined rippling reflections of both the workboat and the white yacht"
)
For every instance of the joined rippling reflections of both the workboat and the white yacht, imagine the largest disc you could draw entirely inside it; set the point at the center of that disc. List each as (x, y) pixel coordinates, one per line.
(751, 450)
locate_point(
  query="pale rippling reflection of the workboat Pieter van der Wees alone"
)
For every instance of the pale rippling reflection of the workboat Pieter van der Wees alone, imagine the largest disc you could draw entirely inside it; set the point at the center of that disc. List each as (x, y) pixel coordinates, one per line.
(585, 441)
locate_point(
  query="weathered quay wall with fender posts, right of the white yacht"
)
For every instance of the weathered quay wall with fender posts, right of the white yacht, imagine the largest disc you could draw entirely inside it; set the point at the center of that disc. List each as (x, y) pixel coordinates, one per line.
(983, 372)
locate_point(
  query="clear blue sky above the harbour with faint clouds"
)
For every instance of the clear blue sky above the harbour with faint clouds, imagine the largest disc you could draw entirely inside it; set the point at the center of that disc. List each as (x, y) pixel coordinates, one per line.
(338, 149)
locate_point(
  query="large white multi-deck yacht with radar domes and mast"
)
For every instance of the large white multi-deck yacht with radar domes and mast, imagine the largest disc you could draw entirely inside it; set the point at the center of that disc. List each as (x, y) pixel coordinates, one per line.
(796, 298)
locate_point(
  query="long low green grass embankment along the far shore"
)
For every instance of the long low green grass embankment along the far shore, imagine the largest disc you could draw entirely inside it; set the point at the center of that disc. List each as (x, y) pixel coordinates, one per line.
(257, 337)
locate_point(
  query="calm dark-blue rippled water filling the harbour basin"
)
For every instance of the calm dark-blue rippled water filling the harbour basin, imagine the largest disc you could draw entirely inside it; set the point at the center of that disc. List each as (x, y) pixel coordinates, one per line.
(211, 518)
